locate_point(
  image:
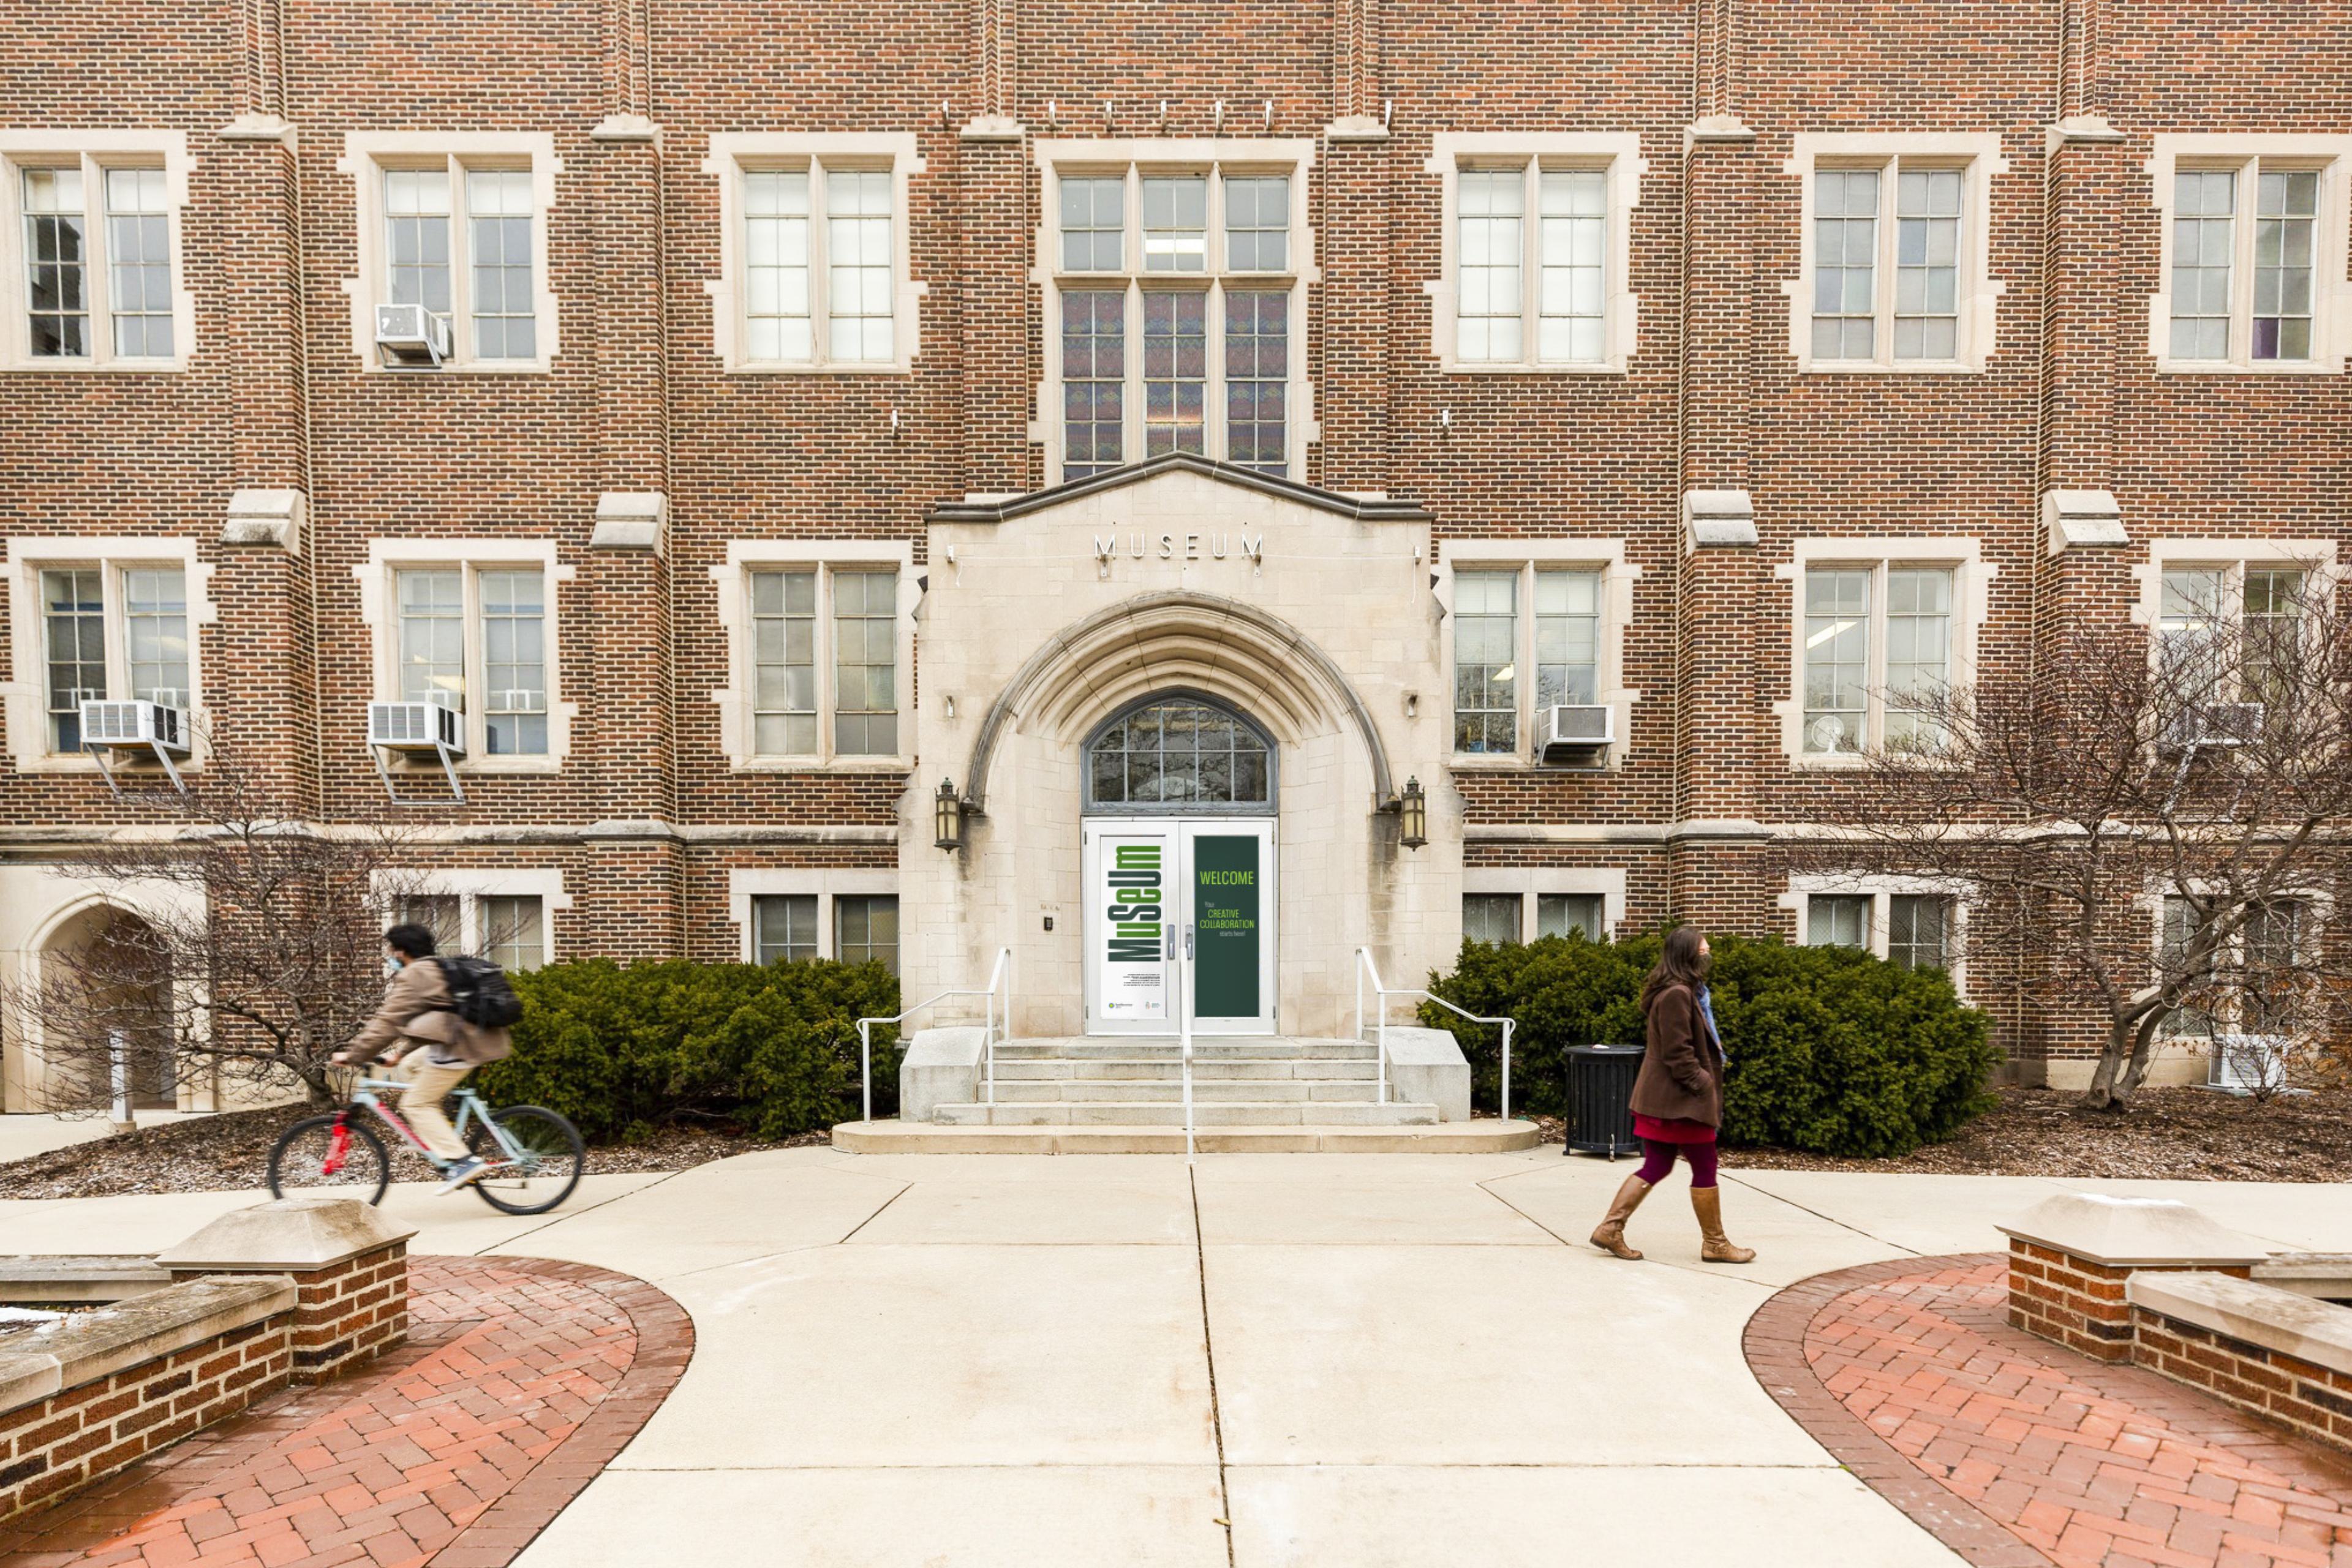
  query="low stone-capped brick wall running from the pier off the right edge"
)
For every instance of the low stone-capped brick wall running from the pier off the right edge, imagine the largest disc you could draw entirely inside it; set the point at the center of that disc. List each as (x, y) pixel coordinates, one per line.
(2264, 1351)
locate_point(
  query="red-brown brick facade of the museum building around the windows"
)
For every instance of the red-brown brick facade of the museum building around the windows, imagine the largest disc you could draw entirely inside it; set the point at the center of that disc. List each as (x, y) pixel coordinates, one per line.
(639, 398)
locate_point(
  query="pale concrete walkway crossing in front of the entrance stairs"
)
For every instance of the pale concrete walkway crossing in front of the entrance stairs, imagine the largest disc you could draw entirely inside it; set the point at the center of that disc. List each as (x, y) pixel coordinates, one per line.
(1384, 1362)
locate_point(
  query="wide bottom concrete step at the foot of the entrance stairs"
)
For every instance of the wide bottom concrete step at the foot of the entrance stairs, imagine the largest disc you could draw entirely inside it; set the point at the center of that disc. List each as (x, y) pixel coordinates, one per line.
(1485, 1137)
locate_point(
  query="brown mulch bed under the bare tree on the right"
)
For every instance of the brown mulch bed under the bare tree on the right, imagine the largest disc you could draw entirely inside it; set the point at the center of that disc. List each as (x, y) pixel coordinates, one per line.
(2181, 1134)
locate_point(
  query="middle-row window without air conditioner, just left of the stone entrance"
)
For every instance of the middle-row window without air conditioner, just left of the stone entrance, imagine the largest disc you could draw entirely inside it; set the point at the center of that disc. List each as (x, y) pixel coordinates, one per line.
(822, 652)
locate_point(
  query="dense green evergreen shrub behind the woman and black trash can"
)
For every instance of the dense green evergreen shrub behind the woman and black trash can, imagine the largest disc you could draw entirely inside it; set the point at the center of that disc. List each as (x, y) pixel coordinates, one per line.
(1831, 1050)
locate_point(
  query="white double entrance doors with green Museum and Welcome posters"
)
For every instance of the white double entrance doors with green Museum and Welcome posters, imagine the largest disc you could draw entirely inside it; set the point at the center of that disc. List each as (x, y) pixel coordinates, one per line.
(1180, 925)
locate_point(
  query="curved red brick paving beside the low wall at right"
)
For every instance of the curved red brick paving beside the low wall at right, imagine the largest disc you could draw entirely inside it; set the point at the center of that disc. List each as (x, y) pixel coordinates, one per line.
(2017, 1452)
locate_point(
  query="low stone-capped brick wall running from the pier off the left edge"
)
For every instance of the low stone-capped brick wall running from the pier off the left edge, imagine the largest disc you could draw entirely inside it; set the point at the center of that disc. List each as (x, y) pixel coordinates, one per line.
(105, 1391)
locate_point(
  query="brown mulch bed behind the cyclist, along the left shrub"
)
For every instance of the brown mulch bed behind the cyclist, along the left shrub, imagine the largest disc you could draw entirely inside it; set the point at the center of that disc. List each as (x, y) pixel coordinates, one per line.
(234, 1151)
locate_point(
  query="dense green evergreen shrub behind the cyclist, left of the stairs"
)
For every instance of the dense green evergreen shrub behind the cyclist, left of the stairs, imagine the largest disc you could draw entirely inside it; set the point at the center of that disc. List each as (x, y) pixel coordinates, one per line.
(624, 1050)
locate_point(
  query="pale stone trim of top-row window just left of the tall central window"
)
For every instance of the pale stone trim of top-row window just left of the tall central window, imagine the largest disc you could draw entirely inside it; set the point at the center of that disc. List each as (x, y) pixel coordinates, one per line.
(737, 154)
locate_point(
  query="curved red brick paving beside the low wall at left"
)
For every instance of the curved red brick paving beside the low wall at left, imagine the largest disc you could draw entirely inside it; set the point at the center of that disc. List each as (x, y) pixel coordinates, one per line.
(521, 1381)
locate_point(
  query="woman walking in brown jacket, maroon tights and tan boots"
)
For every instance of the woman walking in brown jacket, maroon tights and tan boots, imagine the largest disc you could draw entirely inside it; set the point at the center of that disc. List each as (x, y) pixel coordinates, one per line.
(1678, 1099)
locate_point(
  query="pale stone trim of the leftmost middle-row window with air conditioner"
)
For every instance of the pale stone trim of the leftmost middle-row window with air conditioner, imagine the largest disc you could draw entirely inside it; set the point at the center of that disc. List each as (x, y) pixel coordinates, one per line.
(25, 695)
